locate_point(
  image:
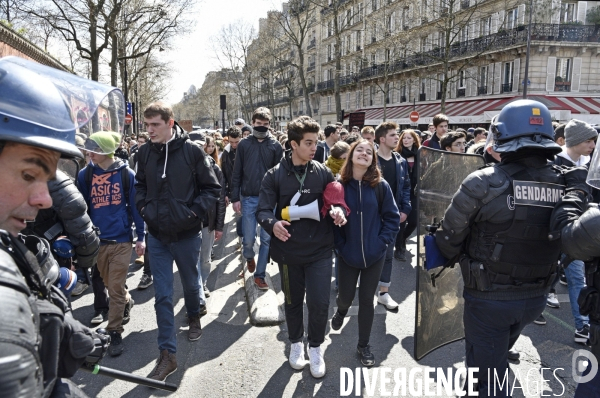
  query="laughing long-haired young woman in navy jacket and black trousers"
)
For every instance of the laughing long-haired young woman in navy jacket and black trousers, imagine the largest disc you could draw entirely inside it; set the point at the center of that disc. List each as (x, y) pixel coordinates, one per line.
(371, 226)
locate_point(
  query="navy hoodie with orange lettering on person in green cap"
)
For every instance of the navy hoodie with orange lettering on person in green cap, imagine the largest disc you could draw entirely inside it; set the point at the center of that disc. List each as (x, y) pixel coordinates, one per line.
(106, 202)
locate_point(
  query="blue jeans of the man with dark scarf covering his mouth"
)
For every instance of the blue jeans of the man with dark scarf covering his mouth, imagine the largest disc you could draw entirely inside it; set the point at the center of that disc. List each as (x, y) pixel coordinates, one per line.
(249, 223)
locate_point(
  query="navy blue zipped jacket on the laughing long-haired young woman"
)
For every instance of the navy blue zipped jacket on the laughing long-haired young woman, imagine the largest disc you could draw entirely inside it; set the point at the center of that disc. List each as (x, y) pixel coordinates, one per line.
(366, 235)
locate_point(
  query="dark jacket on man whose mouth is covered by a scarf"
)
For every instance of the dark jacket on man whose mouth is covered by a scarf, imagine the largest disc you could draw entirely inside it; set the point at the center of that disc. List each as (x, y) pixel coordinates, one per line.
(252, 161)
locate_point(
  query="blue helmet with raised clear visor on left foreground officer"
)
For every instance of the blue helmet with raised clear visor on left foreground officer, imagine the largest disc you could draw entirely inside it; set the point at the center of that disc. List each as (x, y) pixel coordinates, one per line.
(45, 107)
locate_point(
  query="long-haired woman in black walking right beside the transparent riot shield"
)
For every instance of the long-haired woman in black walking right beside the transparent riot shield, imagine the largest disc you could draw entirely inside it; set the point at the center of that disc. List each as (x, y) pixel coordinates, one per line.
(408, 146)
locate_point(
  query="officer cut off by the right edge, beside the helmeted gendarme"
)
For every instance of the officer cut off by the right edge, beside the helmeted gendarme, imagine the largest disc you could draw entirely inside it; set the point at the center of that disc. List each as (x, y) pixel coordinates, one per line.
(578, 221)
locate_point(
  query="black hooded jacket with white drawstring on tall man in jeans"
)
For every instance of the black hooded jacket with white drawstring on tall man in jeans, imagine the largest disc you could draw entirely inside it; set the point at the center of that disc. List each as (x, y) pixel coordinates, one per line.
(168, 204)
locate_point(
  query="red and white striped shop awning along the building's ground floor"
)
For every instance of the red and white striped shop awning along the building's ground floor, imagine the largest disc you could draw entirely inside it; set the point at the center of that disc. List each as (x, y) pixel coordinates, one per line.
(482, 110)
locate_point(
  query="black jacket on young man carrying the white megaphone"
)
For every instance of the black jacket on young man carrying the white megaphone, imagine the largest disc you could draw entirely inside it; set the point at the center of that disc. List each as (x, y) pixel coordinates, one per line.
(310, 240)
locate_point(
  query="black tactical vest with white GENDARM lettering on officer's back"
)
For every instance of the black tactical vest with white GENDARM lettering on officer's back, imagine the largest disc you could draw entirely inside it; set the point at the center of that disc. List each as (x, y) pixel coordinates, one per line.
(517, 254)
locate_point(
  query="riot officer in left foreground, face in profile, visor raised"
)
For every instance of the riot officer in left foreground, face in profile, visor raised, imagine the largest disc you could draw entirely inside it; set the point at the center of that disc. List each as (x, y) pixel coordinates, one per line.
(41, 344)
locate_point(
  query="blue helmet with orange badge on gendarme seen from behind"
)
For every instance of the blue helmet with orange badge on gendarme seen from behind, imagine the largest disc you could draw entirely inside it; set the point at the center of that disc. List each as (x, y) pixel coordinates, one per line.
(524, 124)
